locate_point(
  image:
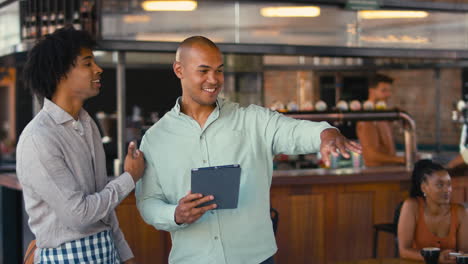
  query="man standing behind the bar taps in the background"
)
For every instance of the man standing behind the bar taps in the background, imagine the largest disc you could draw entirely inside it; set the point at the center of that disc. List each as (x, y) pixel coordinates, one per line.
(376, 138)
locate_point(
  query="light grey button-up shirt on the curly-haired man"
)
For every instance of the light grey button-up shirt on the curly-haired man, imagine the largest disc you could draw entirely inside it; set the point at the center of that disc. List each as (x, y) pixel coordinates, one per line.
(61, 167)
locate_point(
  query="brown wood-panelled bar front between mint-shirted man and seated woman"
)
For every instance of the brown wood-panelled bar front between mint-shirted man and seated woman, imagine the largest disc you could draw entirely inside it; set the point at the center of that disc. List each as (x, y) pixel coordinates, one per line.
(333, 222)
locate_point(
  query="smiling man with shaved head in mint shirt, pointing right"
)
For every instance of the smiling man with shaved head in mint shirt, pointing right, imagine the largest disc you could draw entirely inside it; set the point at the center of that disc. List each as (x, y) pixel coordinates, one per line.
(203, 130)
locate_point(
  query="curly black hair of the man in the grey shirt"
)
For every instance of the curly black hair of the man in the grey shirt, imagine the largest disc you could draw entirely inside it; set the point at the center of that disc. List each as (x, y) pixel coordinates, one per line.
(51, 59)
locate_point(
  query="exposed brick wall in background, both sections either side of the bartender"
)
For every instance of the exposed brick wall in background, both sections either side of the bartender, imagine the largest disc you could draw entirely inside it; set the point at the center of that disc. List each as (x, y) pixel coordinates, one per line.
(413, 91)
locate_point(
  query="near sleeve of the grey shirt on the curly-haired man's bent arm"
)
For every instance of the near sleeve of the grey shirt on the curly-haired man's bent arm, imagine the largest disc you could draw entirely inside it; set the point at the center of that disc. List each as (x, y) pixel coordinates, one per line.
(53, 181)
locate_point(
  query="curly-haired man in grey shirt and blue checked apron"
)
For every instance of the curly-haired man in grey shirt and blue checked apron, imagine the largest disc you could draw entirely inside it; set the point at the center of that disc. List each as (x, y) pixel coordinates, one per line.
(61, 162)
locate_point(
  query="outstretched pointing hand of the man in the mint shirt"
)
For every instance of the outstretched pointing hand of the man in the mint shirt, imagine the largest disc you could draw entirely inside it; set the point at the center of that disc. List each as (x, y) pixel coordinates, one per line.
(333, 142)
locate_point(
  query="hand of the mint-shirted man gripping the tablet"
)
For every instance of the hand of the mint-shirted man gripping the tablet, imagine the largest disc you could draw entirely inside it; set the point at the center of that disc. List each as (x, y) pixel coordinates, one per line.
(186, 211)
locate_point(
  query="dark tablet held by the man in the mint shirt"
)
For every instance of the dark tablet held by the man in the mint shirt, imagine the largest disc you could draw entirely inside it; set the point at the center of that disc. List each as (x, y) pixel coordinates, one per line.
(220, 181)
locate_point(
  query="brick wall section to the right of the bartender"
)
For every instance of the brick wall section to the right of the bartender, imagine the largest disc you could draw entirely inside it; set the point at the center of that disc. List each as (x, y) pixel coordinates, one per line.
(415, 92)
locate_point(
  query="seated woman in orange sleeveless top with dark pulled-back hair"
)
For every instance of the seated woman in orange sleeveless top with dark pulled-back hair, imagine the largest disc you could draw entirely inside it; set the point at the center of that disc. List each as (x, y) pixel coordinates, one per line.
(428, 218)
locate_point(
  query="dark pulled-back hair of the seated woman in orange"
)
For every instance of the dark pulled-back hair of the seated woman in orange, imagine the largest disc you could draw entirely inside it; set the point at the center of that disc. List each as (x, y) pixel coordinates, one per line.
(422, 170)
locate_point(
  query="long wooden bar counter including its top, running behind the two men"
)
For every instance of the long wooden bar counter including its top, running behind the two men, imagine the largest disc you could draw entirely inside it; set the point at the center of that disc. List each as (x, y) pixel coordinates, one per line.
(325, 216)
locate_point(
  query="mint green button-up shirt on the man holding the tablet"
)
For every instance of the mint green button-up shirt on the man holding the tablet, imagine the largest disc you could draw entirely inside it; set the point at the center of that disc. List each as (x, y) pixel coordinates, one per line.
(249, 136)
